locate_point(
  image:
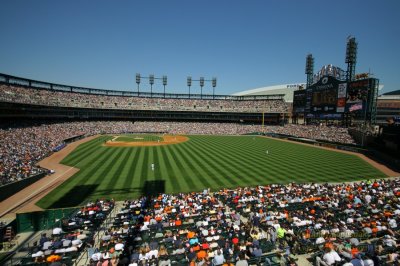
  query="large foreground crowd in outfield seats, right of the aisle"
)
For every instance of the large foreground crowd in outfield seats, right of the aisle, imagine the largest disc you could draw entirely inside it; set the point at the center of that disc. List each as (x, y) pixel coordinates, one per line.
(340, 224)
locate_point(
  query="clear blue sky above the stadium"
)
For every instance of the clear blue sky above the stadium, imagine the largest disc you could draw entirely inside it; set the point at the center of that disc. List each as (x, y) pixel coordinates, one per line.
(245, 44)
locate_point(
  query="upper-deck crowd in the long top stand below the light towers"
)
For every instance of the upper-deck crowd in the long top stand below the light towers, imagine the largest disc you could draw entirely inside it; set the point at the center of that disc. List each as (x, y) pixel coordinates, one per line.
(18, 94)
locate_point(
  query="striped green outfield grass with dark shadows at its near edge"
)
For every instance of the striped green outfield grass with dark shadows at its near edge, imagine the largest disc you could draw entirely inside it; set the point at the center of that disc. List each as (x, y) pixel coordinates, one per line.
(202, 162)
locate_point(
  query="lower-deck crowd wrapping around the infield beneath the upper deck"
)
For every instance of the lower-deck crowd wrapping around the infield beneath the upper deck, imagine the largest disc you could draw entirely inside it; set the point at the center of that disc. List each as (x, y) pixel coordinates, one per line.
(22, 145)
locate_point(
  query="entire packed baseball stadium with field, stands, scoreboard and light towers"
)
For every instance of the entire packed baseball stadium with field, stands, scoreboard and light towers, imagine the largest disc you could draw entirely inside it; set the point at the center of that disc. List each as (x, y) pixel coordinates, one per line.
(303, 173)
